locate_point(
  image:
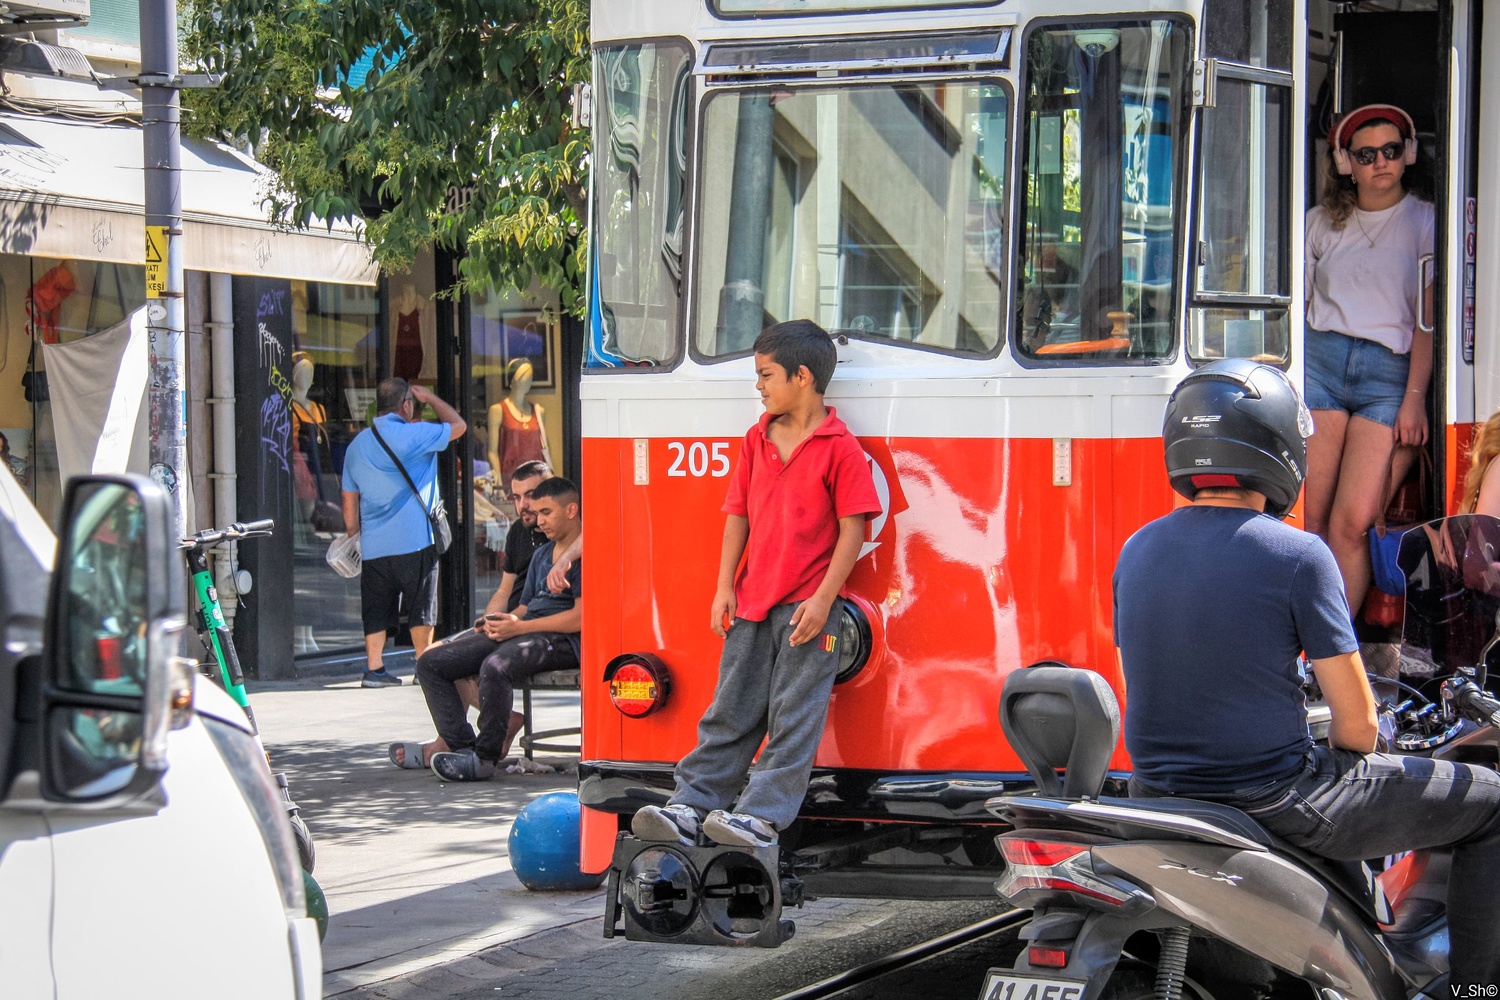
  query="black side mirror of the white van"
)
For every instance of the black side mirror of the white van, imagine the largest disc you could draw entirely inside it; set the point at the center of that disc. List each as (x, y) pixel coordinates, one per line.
(115, 623)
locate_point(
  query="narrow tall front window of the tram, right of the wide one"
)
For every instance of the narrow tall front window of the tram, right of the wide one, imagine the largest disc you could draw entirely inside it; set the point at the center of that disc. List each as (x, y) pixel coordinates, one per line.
(1105, 137)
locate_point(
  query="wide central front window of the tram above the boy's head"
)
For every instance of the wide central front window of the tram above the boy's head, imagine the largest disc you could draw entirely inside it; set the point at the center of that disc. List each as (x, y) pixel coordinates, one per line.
(877, 211)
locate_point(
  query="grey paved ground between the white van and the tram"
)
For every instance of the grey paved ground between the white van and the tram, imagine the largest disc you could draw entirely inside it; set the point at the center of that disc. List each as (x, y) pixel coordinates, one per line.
(424, 902)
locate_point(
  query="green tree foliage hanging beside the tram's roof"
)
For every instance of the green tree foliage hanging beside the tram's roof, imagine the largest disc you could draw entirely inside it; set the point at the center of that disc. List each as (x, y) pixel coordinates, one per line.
(469, 98)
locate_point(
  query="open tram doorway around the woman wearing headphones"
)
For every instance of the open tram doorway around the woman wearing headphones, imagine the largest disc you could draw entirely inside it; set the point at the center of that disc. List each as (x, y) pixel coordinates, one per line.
(1417, 56)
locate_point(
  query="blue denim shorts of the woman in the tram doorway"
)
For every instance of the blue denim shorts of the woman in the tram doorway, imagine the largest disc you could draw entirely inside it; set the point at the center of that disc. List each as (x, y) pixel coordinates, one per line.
(1360, 377)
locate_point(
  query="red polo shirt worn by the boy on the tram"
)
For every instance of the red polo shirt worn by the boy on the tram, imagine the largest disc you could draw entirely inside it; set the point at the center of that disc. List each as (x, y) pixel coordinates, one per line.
(794, 512)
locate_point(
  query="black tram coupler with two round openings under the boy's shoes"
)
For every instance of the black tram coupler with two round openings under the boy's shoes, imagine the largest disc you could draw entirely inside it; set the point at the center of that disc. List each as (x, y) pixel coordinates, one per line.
(707, 894)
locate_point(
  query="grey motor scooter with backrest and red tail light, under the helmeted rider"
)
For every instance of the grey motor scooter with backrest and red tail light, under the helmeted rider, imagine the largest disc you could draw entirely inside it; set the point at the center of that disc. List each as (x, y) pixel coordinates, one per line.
(1171, 899)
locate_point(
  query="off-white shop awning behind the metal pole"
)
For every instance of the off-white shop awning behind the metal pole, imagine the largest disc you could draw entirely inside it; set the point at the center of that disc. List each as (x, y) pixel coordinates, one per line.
(74, 191)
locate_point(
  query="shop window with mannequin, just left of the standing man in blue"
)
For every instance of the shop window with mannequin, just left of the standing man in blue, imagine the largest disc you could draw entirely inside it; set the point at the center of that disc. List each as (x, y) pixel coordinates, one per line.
(334, 376)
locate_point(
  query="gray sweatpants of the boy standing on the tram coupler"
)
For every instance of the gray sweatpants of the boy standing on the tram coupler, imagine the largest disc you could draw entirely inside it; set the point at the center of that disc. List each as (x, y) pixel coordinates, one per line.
(766, 686)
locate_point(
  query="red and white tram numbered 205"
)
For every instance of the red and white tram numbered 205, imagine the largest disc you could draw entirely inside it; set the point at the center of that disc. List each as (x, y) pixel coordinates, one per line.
(1025, 223)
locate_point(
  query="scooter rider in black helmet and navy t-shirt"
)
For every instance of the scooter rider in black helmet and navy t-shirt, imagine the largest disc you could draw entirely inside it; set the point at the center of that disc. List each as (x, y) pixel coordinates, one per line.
(1213, 606)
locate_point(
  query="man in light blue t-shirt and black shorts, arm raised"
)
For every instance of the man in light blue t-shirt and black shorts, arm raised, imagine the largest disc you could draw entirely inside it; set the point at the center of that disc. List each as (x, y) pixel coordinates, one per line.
(398, 554)
